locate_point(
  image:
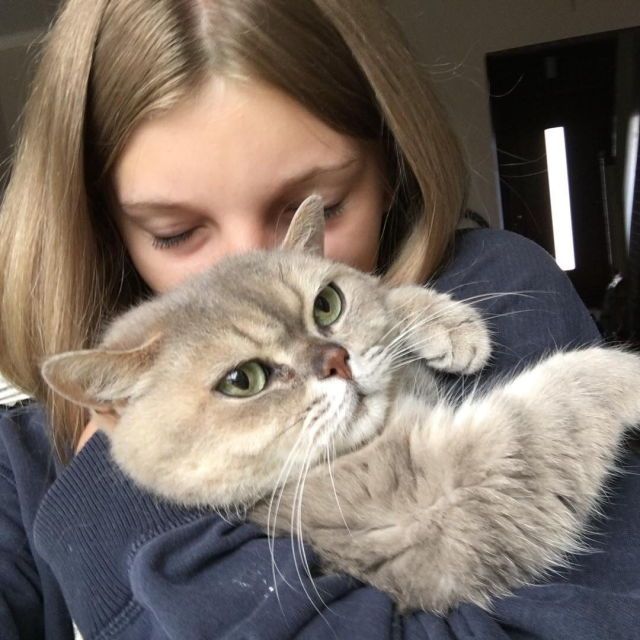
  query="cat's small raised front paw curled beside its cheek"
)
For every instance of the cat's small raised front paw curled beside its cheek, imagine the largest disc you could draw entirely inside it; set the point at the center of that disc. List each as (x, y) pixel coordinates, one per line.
(447, 334)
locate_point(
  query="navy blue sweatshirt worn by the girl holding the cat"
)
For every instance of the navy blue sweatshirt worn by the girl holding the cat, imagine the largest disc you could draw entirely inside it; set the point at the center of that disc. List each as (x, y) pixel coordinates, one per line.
(83, 542)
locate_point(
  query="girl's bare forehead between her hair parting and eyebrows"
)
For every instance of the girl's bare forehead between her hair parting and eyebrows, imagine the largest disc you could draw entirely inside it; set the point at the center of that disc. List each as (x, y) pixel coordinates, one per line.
(228, 137)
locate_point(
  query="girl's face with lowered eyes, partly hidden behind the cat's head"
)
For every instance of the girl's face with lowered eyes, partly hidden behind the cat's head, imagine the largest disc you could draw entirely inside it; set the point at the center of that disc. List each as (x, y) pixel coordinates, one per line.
(224, 173)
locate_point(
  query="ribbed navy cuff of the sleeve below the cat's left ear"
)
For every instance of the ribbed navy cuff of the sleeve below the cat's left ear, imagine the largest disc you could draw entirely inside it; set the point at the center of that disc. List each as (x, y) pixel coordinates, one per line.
(88, 527)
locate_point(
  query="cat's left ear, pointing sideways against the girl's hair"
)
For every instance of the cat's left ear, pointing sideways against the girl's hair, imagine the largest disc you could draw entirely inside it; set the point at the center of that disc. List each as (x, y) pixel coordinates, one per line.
(101, 379)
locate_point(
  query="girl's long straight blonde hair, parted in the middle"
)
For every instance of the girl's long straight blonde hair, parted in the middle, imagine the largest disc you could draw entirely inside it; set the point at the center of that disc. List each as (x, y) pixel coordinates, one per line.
(106, 65)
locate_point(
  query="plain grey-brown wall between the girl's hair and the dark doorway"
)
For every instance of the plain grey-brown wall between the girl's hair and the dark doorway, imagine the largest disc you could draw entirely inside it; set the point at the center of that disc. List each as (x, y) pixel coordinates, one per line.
(452, 37)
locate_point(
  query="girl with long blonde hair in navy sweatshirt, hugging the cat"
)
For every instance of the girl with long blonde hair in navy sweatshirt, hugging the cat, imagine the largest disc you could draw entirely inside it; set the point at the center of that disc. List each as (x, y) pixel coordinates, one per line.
(160, 136)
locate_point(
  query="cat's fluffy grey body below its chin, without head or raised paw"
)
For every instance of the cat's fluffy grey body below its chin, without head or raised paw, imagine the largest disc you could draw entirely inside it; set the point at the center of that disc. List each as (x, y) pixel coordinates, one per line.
(452, 505)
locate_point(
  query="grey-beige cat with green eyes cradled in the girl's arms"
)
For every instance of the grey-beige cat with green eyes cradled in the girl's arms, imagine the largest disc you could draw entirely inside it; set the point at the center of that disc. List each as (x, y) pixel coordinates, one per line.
(235, 389)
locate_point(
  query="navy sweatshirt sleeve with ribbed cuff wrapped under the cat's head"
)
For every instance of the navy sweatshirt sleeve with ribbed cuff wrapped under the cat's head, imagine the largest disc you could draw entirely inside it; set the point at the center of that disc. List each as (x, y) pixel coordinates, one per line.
(134, 567)
